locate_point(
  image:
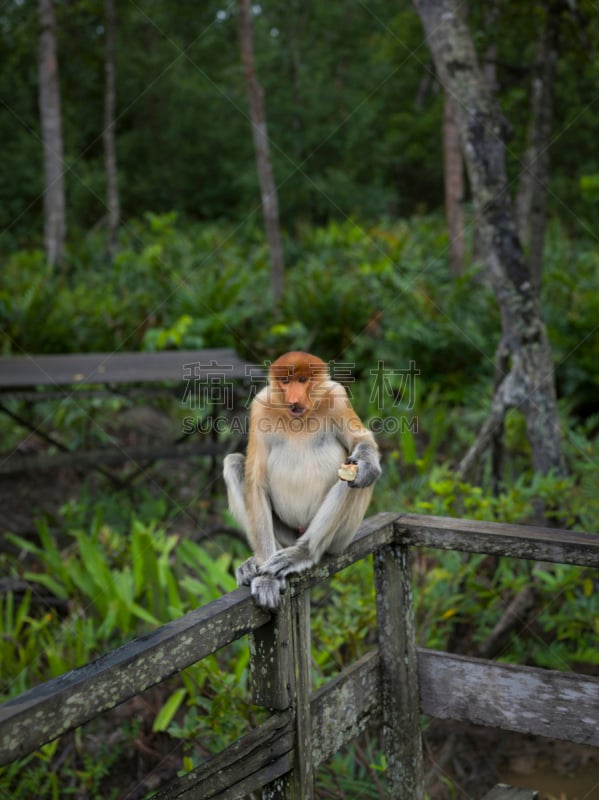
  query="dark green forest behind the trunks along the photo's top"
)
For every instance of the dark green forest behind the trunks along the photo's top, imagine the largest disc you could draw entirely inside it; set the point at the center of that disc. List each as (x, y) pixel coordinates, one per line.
(354, 110)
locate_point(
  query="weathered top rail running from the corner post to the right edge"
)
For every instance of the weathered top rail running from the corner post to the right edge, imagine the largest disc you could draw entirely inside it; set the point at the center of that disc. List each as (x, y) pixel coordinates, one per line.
(516, 541)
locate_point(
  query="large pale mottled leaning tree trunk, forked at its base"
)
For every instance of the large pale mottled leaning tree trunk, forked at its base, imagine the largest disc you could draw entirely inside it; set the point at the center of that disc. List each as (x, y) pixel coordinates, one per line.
(529, 385)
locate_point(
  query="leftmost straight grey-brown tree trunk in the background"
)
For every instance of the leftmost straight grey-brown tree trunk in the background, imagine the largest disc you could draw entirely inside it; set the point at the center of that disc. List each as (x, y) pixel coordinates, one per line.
(49, 104)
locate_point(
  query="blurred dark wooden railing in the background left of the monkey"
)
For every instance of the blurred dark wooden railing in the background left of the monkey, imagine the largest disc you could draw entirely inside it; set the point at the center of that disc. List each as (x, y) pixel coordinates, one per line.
(32, 378)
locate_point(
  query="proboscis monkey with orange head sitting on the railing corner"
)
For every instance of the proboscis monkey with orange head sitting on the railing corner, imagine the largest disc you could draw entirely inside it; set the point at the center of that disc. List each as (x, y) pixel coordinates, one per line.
(286, 492)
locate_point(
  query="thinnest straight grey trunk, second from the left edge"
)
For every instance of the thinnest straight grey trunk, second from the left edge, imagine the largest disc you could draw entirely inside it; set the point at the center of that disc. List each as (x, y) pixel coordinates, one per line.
(112, 188)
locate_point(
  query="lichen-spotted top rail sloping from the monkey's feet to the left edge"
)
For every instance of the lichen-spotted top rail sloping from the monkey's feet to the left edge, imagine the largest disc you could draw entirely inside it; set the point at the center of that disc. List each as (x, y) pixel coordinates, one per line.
(43, 713)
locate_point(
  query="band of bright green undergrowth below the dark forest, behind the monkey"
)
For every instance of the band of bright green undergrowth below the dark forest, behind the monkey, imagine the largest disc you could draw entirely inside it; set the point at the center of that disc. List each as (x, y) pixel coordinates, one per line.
(358, 293)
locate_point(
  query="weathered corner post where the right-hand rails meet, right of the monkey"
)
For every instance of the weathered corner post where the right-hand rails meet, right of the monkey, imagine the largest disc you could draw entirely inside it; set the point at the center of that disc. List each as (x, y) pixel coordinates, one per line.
(399, 673)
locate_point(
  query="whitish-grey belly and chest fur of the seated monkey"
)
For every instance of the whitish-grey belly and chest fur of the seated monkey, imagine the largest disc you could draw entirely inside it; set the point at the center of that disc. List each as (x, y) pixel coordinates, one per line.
(300, 473)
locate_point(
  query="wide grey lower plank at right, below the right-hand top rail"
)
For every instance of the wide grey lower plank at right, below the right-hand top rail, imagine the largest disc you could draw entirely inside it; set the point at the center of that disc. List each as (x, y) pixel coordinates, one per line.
(541, 702)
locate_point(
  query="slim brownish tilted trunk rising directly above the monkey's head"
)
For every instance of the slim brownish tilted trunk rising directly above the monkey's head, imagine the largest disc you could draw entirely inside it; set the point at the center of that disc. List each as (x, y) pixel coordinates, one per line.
(268, 190)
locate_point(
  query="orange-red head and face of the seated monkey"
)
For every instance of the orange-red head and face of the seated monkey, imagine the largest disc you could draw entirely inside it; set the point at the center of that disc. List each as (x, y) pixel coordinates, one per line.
(295, 377)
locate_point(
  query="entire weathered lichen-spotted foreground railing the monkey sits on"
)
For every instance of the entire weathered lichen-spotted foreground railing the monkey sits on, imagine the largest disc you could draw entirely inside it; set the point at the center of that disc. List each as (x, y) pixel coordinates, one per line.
(394, 683)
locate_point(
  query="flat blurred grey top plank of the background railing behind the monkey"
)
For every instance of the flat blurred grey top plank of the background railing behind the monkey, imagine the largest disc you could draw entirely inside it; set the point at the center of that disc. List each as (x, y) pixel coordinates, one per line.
(76, 368)
